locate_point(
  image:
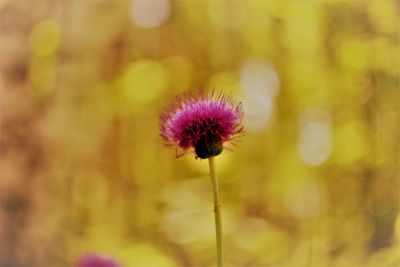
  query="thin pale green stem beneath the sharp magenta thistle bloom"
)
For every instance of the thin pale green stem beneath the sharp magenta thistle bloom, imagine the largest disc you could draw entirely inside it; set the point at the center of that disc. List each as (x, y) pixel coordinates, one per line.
(217, 211)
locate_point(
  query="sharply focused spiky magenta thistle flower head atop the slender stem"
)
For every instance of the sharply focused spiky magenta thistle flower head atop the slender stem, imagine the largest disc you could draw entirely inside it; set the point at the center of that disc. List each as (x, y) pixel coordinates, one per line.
(202, 123)
